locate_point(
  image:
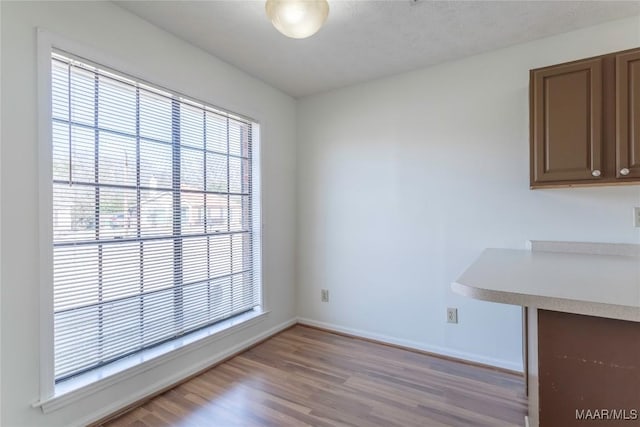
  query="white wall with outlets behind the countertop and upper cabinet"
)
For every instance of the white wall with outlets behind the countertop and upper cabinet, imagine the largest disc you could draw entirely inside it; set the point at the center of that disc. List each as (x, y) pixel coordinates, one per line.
(403, 181)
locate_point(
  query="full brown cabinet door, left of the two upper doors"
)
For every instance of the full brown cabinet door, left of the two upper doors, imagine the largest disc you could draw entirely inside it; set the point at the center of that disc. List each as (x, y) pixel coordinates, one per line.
(566, 130)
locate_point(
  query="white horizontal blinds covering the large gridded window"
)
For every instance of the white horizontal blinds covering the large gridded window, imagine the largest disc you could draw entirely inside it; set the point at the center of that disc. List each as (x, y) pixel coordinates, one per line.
(153, 216)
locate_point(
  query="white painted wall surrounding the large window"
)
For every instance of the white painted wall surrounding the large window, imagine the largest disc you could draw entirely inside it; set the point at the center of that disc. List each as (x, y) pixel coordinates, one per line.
(165, 60)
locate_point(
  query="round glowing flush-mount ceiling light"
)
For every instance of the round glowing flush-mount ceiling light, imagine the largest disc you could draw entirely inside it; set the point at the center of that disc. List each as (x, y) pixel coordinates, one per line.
(297, 19)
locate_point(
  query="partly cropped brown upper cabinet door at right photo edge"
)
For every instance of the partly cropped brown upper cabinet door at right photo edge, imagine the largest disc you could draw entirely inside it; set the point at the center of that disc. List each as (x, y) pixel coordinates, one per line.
(628, 115)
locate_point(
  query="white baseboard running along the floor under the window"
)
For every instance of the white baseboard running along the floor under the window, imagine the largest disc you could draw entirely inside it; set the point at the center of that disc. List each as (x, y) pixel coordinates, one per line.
(178, 376)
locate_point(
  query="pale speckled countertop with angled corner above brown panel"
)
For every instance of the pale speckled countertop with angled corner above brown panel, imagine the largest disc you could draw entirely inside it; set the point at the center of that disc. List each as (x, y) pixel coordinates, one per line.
(596, 285)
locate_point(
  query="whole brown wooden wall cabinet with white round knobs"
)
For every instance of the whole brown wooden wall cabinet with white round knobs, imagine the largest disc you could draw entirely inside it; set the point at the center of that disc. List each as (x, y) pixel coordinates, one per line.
(585, 122)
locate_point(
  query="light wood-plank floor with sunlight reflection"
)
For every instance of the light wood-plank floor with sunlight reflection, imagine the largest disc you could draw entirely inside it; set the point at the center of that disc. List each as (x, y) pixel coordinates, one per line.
(304, 376)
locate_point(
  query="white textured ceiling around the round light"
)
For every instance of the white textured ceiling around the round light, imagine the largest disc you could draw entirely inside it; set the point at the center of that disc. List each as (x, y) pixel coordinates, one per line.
(365, 40)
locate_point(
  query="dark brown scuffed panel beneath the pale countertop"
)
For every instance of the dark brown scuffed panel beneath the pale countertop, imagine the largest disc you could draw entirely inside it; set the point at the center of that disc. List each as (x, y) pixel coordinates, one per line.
(589, 371)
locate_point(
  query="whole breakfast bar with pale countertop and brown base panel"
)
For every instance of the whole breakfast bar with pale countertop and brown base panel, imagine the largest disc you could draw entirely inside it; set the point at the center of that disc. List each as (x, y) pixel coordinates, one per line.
(581, 322)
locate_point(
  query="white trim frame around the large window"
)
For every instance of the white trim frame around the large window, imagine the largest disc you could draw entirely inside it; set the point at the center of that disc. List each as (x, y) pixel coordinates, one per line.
(51, 396)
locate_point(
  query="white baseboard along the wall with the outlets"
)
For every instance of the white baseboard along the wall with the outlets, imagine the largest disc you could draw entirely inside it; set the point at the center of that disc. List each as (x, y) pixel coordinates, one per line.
(499, 363)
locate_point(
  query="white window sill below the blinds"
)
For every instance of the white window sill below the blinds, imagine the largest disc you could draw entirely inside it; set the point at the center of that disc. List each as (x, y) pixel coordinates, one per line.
(73, 389)
